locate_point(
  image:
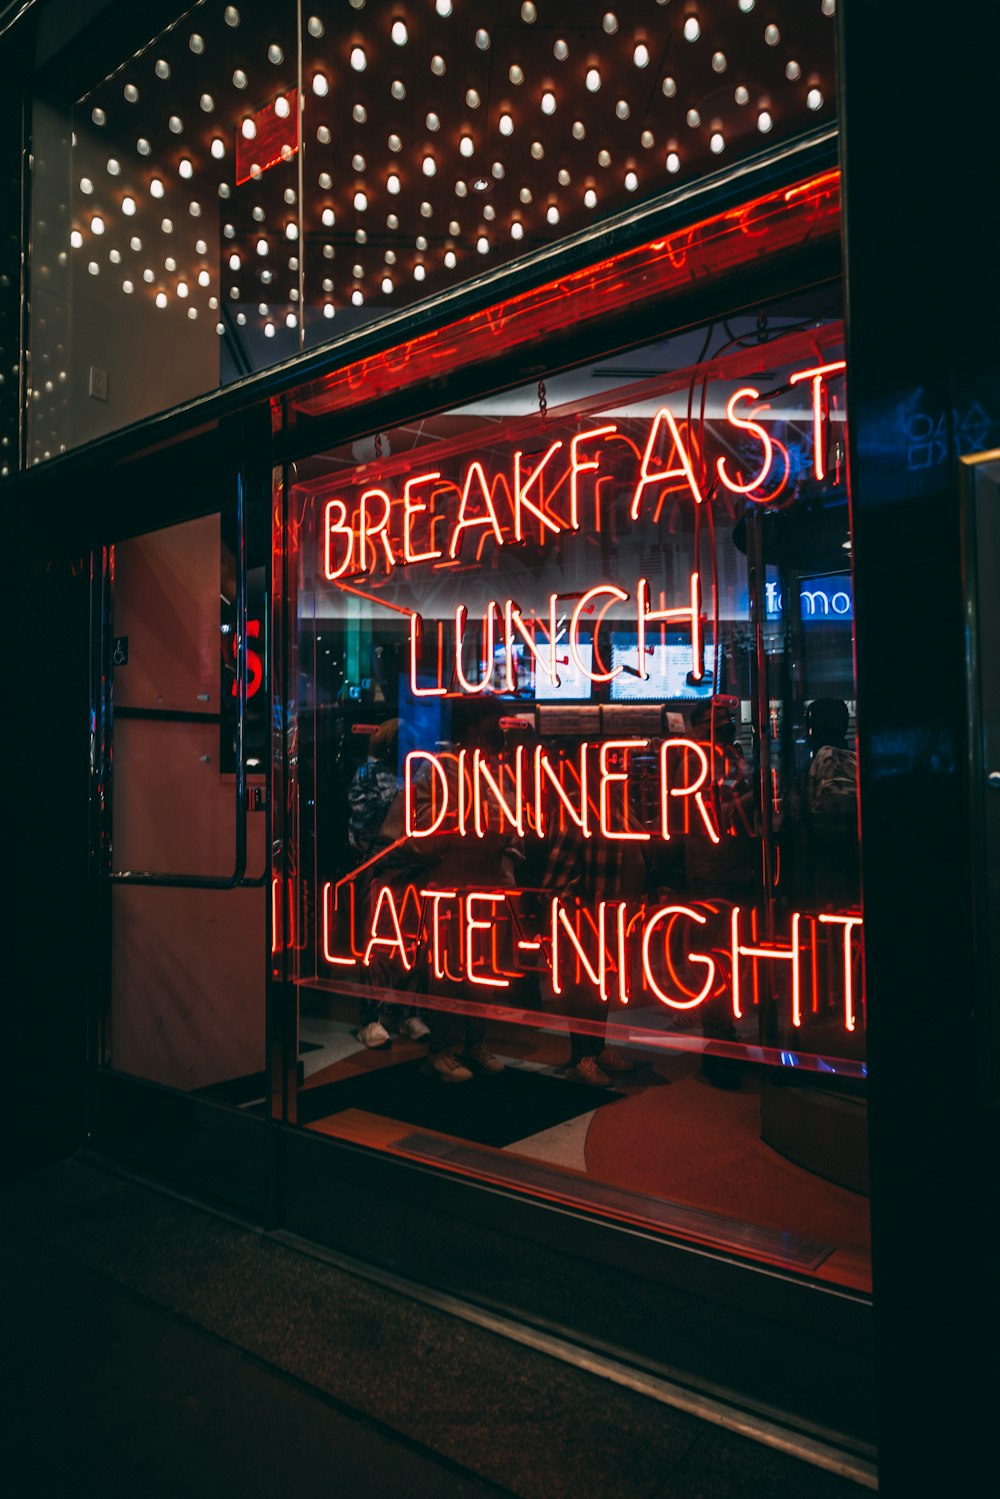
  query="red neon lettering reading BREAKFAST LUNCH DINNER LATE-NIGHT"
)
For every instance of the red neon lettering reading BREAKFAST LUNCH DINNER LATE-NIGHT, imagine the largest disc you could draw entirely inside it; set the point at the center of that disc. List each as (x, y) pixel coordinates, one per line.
(630, 794)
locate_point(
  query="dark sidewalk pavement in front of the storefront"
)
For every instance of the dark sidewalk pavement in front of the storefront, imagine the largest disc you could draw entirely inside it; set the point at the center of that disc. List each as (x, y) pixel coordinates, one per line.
(155, 1350)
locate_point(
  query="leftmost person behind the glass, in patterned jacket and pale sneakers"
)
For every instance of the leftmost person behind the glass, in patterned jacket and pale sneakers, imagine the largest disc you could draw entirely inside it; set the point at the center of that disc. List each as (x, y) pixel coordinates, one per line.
(374, 789)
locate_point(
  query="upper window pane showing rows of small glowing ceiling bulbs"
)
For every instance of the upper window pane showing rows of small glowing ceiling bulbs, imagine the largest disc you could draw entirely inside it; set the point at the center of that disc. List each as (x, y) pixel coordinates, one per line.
(253, 181)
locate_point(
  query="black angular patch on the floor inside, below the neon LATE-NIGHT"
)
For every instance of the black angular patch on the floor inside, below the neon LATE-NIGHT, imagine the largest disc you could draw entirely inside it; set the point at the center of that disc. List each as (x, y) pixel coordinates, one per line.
(490, 1112)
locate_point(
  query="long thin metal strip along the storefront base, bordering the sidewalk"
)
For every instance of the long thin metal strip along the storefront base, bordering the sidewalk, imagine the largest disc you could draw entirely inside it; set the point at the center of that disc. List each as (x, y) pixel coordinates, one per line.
(825, 1450)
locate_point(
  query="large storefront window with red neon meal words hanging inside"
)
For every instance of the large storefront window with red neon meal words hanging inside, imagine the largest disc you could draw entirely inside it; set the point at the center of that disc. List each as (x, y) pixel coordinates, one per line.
(575, 902)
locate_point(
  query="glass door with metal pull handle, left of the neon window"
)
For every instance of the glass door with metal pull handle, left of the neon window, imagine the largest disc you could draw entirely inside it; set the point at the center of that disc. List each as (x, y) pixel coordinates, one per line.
(182, 777)
